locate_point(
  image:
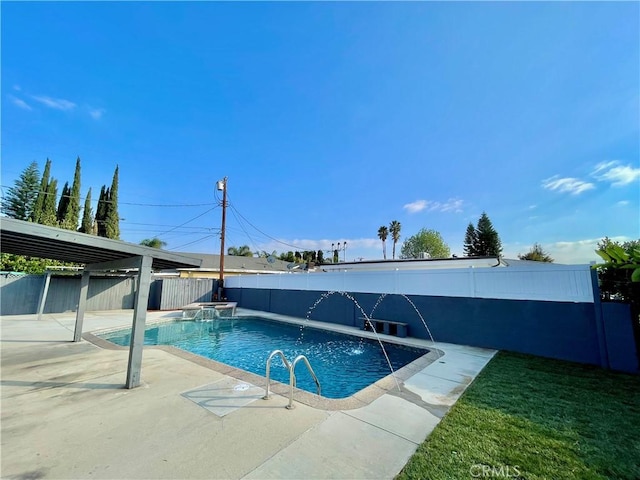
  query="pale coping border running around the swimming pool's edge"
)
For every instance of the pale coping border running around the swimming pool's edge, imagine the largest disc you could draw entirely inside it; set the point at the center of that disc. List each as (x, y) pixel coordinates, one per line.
(364, 397)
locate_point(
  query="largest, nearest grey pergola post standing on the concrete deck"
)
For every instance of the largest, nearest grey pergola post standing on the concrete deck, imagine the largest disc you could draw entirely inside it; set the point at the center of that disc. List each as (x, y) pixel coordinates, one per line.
(134, 366)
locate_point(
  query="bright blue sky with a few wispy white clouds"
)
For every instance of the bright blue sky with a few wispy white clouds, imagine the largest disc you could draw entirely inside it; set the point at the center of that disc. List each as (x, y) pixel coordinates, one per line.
(332, 119)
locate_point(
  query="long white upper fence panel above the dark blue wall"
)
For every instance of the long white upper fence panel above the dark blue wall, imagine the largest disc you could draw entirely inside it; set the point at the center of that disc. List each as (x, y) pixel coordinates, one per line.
(558, 283)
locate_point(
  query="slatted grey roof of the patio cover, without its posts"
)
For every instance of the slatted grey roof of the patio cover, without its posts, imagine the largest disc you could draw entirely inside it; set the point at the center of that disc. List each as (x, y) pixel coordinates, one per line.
(35, 240)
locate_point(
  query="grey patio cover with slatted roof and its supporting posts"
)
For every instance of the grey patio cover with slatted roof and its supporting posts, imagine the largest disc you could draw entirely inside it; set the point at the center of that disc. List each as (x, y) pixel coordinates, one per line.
(97, 254)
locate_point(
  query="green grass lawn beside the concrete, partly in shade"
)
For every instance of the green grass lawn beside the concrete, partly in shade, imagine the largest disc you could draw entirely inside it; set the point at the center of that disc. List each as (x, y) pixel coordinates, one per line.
(535, 418)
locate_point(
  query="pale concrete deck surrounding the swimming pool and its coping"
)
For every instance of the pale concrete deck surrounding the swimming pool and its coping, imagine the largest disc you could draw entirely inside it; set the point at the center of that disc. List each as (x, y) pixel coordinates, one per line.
(65, 413)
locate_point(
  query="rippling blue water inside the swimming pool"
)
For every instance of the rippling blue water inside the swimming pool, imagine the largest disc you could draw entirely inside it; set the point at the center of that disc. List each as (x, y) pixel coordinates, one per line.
(344, 364)
